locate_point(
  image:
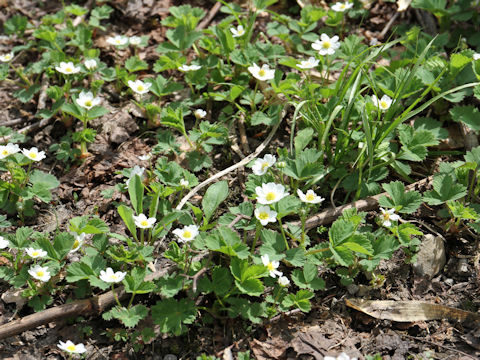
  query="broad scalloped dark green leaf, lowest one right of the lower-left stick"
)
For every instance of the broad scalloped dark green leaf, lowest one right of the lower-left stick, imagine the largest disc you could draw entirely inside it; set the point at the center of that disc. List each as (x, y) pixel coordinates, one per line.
(172, 315)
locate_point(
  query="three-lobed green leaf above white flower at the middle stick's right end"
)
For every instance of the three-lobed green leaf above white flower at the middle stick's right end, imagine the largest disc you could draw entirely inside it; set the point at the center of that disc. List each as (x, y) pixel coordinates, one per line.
(404, 202)
